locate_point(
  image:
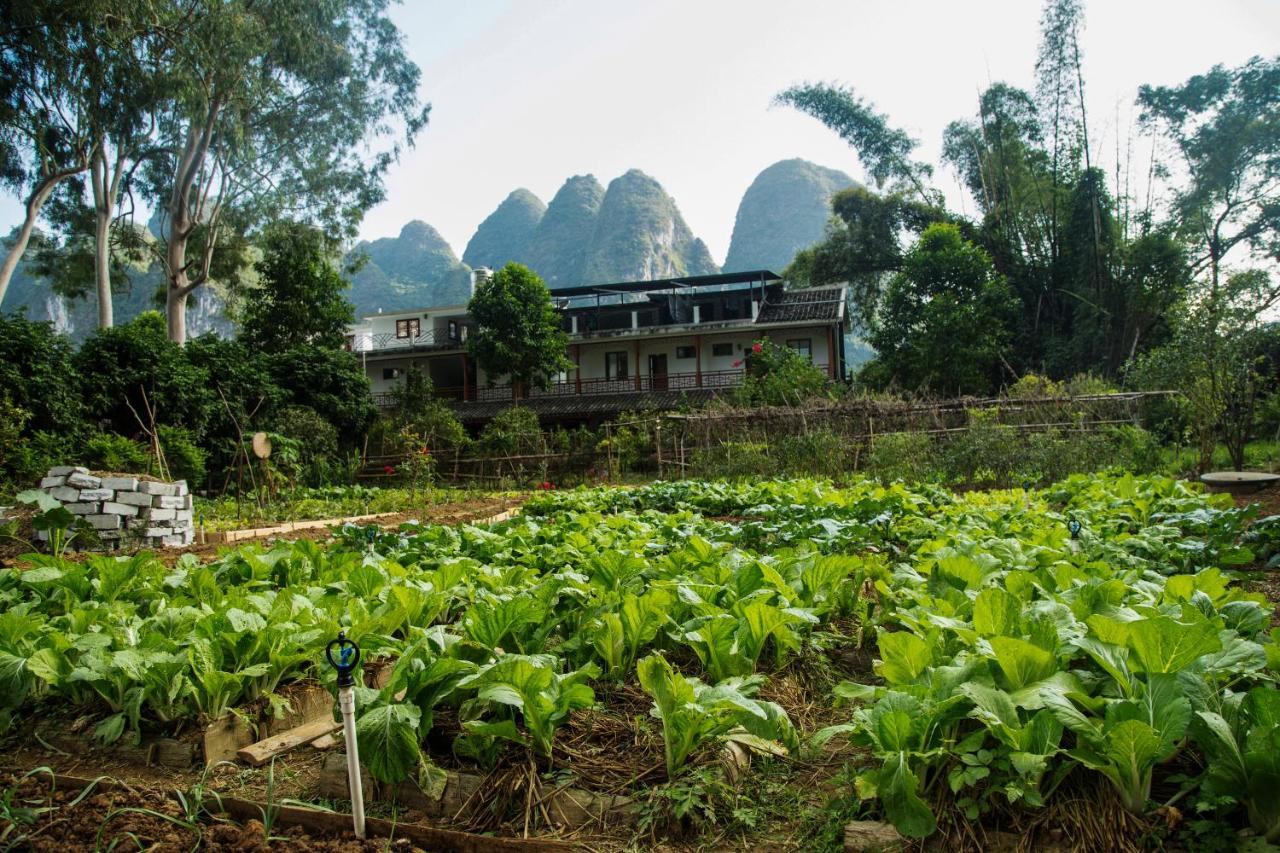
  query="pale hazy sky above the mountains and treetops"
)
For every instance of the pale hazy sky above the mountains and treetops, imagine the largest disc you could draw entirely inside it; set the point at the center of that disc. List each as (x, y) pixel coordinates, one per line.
(525, 94)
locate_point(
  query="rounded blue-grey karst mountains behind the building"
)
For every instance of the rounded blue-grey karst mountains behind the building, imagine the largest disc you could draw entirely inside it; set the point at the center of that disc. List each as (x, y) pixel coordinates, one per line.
(588, 235)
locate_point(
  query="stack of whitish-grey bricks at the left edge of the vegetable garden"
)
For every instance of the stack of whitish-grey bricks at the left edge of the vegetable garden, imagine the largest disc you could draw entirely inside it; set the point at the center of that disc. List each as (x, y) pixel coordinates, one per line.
(125, 510)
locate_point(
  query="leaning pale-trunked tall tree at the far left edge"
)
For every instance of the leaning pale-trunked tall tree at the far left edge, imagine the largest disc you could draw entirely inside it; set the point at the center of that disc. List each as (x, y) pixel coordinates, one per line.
(45, 102)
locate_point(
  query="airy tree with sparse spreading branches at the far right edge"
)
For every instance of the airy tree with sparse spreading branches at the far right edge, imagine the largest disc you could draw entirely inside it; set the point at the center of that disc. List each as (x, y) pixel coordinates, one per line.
(1226, 127)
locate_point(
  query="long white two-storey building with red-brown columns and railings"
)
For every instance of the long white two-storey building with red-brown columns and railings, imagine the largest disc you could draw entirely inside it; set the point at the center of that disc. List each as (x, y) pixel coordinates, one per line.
(634, 345)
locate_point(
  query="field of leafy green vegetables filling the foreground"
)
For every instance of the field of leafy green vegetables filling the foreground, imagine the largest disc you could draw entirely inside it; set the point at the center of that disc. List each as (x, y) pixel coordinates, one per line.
(959, 659)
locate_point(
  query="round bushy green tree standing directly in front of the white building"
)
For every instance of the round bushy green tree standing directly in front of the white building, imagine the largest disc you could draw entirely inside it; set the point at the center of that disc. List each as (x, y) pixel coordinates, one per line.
(518, 331)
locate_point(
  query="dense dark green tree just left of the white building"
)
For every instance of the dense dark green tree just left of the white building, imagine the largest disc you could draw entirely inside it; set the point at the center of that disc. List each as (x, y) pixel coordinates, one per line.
(301, 295)
